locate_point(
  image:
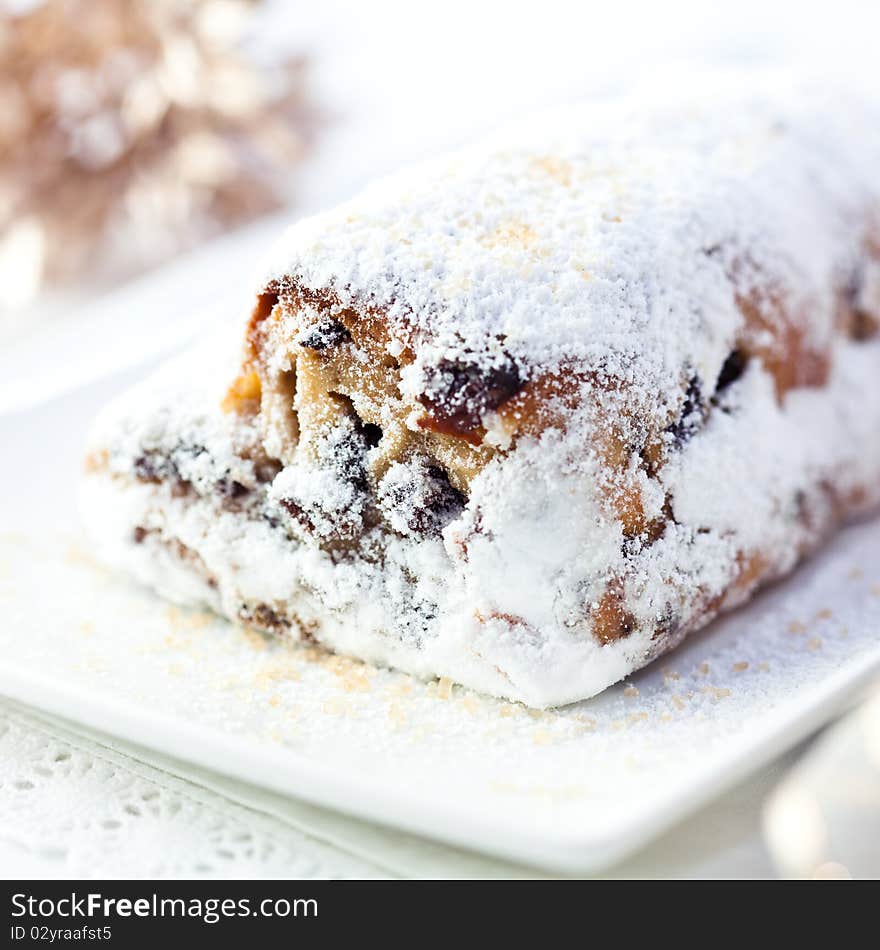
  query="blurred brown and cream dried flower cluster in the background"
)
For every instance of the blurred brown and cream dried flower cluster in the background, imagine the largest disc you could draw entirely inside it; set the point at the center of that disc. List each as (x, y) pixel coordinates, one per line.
(132, 128)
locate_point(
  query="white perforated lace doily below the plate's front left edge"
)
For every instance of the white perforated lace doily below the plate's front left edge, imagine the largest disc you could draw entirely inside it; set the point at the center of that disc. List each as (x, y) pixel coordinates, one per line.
(73, 808)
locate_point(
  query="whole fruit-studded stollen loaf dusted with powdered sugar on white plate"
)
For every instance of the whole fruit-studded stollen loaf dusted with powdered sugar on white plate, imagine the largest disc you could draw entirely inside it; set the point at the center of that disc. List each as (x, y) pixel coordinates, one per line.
(527, 415)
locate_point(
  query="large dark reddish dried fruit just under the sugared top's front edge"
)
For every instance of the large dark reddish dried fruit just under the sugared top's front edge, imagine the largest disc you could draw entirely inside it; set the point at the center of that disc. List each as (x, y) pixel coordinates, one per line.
(457, 395)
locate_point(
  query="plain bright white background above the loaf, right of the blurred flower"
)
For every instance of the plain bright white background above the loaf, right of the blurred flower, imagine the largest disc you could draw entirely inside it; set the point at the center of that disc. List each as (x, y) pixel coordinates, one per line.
(406, 78)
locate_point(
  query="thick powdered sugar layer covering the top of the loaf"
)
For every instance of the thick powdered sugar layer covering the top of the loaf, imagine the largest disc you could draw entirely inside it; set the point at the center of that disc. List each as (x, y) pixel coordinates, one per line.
(607, 234)
